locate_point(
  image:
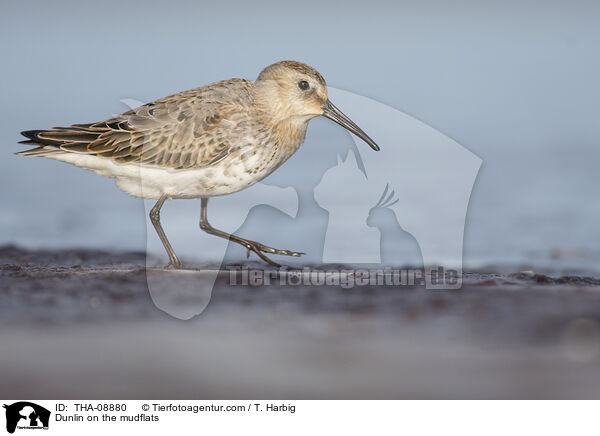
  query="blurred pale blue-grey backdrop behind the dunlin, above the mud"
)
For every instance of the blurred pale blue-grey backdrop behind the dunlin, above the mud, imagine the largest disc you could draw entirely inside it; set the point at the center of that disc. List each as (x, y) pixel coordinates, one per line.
(516, 83)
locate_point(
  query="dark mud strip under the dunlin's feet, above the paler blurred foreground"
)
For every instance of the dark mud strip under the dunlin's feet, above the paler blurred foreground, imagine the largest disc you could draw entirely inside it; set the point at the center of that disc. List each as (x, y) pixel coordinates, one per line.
(57, 286)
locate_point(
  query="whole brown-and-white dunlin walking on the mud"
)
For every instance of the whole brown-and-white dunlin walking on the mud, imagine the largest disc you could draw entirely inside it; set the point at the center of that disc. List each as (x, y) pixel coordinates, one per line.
(205, 142)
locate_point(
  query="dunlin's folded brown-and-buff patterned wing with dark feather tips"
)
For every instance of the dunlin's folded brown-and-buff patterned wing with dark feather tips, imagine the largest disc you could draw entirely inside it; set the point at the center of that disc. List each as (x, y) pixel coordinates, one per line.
(191, 129)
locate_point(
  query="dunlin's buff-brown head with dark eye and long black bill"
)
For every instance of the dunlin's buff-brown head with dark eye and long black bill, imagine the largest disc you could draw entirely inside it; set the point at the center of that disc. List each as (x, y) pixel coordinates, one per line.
(295, 92)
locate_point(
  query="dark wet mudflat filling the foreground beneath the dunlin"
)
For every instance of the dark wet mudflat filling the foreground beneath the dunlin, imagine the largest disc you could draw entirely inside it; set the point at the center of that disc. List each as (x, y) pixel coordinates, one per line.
(82, 324)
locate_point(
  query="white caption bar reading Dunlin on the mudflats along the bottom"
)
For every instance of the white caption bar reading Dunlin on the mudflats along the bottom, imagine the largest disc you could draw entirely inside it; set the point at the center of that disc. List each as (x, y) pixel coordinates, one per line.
(248, 417)
